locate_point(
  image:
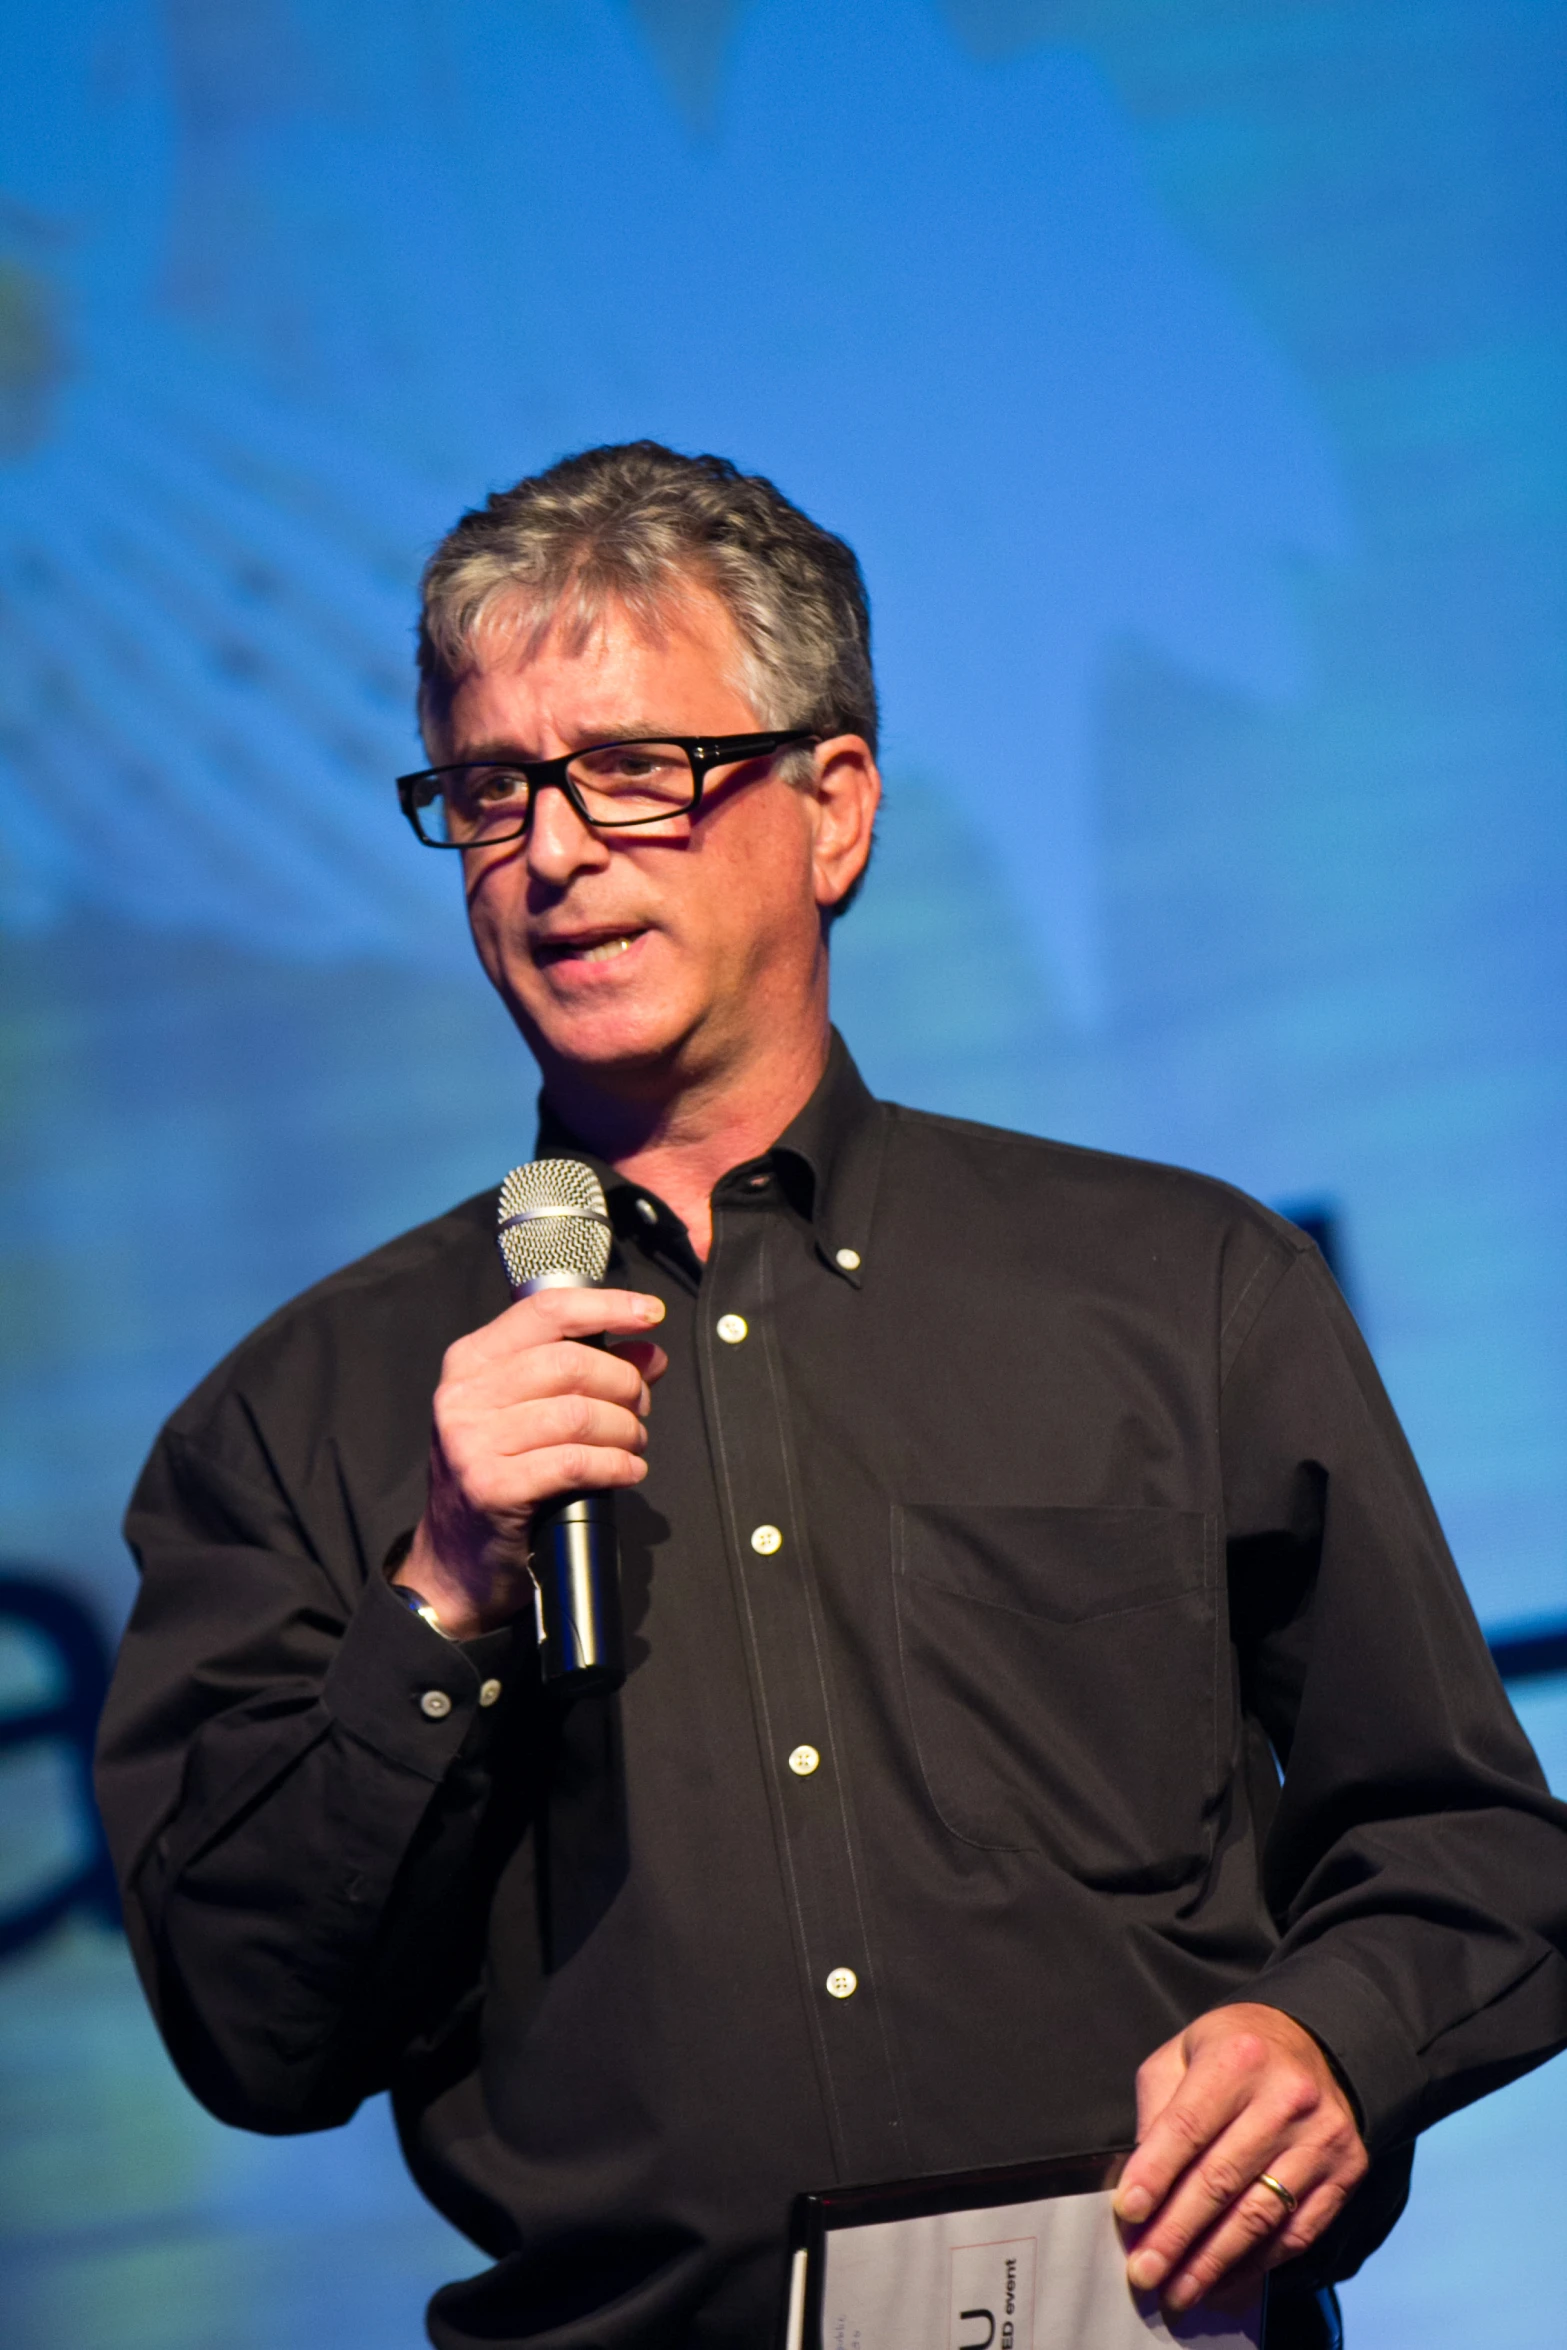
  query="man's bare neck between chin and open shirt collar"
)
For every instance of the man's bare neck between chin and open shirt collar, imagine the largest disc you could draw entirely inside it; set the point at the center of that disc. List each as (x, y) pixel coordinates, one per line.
(682, 1143)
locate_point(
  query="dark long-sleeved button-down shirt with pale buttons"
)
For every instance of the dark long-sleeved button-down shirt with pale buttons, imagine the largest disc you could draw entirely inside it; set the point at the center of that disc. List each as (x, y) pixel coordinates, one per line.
(1051, 1503)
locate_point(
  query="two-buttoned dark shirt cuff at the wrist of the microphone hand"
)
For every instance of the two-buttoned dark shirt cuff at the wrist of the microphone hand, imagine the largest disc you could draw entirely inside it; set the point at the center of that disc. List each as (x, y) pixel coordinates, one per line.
(417, 1698)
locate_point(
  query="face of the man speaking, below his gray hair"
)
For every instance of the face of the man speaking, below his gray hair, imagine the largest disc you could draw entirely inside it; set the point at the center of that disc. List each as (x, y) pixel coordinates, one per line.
(631, 958)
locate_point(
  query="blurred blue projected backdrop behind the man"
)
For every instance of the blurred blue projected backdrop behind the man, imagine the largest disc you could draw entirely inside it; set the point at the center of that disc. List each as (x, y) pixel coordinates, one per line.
(1190, 382)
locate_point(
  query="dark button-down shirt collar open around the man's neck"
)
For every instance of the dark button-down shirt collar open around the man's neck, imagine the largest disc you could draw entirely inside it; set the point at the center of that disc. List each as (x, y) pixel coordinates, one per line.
(828, 1160)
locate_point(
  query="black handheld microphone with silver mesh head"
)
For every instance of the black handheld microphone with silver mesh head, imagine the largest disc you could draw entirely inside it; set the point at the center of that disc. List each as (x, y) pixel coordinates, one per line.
(556, 1235)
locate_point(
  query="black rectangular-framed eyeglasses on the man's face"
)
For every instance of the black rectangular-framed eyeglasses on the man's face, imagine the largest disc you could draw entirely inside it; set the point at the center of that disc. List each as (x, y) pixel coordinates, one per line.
(612, 786)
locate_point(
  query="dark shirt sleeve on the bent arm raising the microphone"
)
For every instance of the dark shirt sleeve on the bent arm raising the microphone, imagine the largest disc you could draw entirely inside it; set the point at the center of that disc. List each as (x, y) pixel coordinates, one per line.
(304, 1790)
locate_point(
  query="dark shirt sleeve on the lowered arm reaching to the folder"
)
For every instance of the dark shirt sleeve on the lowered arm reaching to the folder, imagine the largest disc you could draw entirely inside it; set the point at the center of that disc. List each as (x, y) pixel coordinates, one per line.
(1415, 1865)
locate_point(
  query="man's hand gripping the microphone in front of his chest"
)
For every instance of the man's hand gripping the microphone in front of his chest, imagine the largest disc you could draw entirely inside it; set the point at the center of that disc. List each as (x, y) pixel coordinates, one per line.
(527, 1411)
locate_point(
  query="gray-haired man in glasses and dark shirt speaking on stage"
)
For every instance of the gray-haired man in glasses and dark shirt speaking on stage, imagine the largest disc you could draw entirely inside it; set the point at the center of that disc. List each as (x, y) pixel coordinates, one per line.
(997, 1517)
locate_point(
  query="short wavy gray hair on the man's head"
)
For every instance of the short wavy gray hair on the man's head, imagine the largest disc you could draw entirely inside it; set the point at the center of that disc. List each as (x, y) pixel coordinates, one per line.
(640, 525)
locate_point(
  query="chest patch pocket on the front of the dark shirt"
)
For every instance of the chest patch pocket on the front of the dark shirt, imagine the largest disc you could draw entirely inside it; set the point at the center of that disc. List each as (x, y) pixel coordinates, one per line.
(1061, 1670)
